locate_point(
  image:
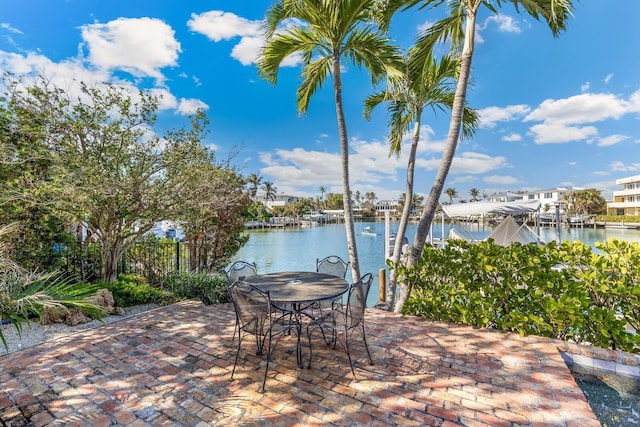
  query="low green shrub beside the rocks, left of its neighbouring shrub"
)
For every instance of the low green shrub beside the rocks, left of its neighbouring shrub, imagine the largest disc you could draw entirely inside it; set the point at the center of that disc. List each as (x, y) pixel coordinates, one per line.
(131, 289)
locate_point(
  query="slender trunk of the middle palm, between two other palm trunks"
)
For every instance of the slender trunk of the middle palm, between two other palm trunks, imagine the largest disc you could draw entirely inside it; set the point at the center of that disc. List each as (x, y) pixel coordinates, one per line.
(406, 211)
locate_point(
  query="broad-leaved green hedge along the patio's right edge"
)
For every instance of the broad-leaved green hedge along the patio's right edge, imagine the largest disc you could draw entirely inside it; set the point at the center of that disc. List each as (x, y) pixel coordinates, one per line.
(562, 291)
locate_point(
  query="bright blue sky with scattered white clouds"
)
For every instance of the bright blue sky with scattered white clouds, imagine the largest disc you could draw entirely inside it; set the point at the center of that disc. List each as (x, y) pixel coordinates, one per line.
(555, 112)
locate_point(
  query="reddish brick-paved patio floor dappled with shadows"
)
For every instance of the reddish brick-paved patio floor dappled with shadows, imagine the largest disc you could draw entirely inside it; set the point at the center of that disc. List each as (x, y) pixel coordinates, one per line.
(171, 366)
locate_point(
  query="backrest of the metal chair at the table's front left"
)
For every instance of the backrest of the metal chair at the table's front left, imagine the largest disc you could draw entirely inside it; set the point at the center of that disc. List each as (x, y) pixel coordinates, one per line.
(253, 307)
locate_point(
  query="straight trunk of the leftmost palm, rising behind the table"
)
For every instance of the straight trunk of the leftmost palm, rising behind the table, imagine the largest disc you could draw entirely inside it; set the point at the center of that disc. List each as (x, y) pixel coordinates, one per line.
(344, 154)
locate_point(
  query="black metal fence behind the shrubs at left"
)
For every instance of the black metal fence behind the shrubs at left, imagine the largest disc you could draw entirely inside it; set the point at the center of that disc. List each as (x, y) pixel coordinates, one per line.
(153, 260)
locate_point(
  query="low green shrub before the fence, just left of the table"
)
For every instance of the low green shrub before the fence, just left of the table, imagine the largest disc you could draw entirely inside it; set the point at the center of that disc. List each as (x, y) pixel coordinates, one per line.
(208, 288)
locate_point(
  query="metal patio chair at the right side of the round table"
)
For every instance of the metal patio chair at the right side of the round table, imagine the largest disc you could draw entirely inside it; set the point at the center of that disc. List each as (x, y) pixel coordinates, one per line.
(343, 320)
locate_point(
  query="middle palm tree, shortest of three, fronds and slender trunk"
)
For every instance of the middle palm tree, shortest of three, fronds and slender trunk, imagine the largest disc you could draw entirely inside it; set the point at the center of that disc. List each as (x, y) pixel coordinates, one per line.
(429, 87)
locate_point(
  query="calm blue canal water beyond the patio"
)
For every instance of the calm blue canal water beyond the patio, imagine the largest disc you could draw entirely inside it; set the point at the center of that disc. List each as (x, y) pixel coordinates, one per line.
(297, 249)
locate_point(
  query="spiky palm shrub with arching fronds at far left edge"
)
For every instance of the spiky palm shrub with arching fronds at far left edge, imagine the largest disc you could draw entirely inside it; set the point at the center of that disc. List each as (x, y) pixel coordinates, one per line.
(25, 296)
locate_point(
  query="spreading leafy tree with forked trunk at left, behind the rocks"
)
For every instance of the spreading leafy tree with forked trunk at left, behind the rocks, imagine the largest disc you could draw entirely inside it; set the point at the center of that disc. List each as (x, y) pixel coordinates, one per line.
(114, 174)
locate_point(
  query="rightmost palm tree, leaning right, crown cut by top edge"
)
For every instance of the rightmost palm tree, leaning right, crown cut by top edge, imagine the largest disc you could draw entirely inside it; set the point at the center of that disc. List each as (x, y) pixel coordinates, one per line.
(458, 28)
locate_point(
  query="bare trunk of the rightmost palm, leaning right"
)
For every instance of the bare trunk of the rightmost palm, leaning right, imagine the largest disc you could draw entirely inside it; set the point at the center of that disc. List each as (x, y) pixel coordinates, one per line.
(457, 111)
